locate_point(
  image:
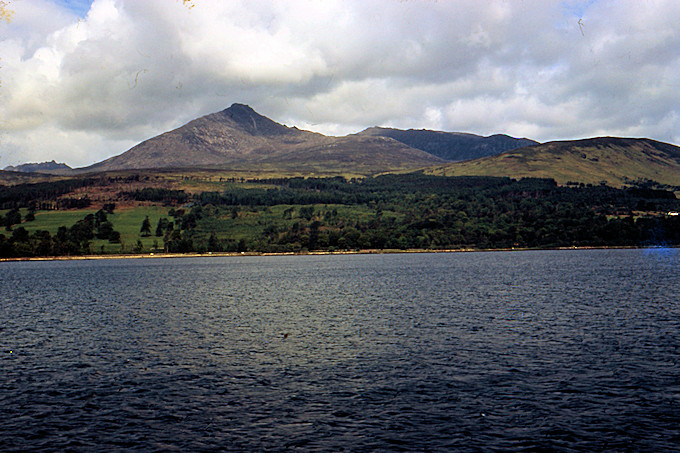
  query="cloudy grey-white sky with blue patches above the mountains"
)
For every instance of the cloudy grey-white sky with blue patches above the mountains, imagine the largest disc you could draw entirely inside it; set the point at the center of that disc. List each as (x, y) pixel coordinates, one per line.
(81, 81)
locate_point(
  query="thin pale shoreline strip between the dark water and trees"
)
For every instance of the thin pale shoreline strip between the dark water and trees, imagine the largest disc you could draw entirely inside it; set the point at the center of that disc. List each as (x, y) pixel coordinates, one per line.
(155, 255)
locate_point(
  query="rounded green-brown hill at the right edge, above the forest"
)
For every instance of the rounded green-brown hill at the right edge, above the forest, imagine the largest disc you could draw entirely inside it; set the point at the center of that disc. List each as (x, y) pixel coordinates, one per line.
(613, 160)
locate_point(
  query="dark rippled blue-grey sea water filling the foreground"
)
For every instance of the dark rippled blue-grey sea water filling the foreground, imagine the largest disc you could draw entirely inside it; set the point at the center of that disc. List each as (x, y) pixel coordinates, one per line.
(515, 351)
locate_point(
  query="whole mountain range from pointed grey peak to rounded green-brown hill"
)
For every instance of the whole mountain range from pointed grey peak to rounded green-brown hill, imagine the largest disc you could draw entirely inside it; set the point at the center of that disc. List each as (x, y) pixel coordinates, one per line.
(238, 139)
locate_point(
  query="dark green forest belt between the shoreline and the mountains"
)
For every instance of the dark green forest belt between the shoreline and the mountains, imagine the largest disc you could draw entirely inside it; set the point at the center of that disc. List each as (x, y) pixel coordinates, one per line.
(390, 212)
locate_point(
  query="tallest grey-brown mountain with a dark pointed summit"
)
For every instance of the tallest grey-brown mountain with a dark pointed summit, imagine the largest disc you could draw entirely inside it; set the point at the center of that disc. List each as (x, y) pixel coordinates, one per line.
(241, 139)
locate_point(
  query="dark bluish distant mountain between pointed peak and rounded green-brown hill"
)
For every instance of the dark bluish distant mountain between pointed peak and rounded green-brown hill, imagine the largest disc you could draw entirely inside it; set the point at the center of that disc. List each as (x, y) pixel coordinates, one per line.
(451, 146)
